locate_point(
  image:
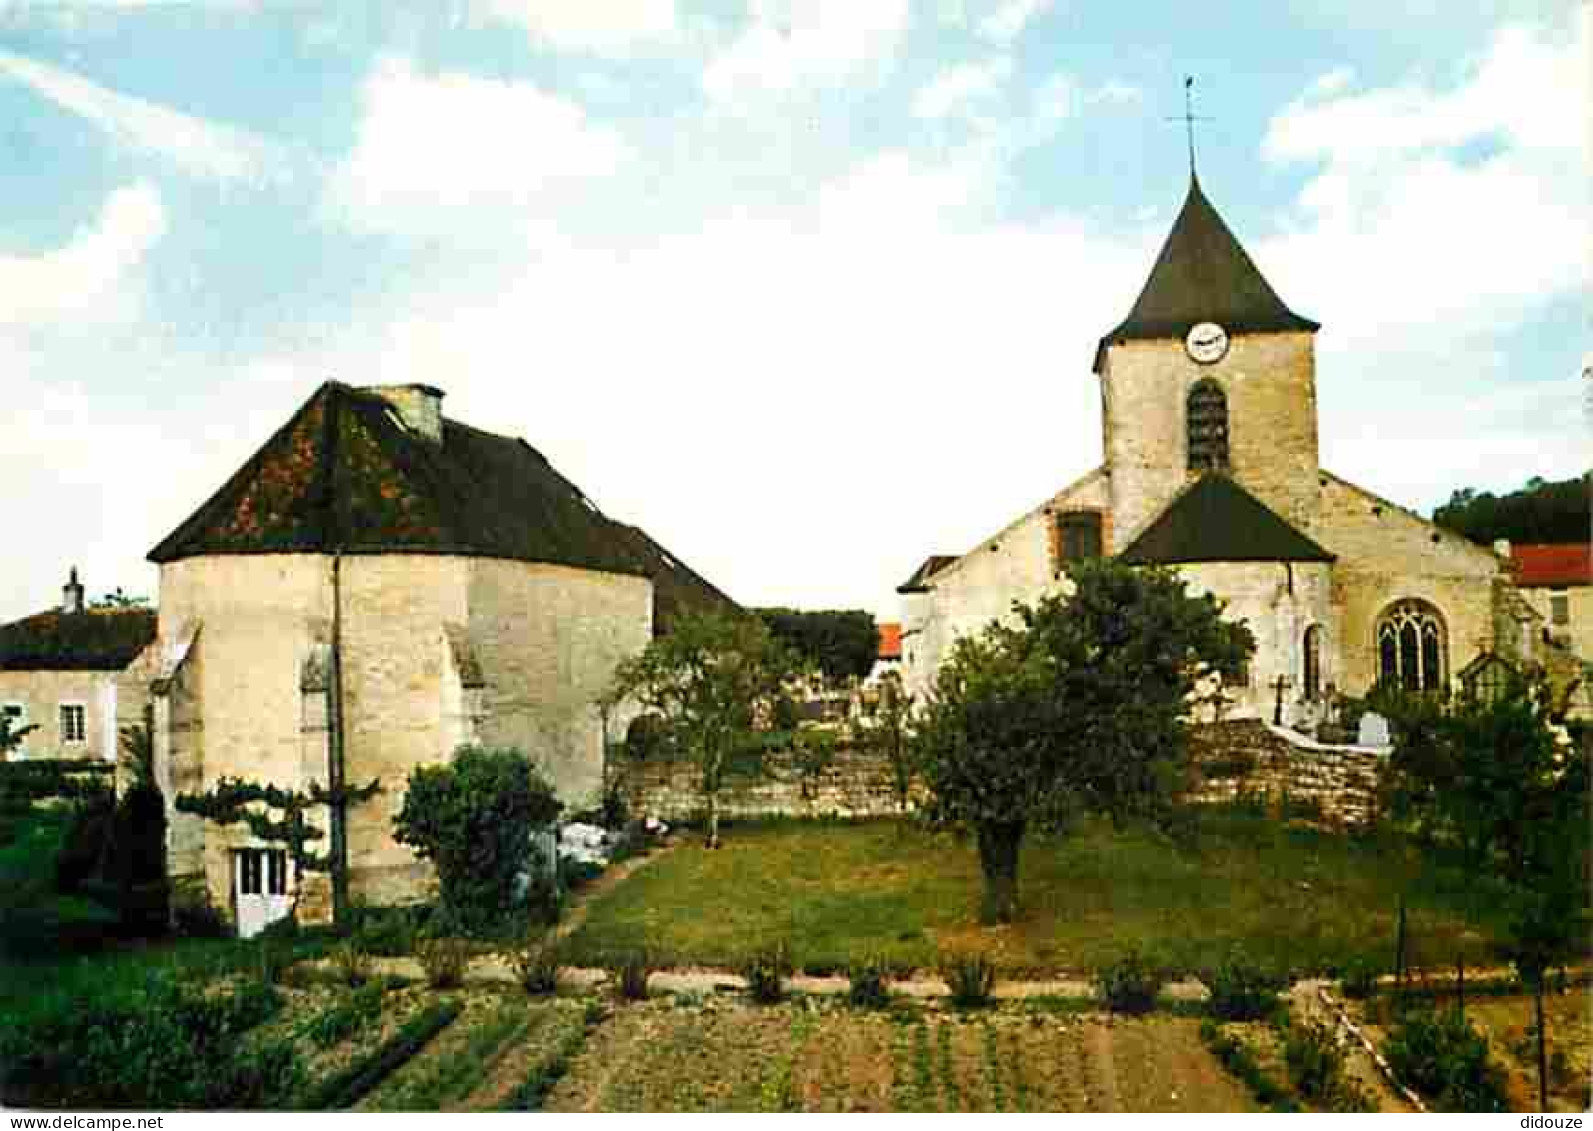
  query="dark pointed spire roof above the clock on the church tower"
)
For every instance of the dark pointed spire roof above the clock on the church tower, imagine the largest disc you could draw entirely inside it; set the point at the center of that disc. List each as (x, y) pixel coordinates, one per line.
(1204, 275)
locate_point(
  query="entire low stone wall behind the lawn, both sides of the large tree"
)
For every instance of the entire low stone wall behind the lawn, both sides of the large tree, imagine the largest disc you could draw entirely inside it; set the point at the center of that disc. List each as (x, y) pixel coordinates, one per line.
(1234, 761)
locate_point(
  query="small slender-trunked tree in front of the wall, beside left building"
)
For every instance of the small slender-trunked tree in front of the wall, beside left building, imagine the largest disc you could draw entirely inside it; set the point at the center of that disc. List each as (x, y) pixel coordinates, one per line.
(711, 683)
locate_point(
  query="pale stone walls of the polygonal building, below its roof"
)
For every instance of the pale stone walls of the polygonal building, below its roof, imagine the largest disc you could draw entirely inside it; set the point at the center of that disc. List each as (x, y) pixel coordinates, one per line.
(248, 706)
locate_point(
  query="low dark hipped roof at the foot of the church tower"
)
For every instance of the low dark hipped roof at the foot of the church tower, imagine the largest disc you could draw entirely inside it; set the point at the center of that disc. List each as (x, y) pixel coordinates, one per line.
(1215, 520)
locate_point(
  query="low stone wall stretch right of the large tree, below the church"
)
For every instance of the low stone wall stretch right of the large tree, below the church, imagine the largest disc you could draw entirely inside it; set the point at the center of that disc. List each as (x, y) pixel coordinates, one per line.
(1251, 759)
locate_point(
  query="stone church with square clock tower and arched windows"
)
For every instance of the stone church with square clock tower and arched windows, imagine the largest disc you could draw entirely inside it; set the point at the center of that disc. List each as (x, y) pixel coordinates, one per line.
(1210, 466)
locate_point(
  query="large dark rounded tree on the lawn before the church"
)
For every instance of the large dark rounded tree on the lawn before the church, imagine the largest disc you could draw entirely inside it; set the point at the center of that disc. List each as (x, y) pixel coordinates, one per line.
(1076, 705)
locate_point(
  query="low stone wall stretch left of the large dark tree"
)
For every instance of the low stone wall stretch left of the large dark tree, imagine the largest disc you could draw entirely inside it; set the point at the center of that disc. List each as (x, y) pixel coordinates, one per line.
(855, 785)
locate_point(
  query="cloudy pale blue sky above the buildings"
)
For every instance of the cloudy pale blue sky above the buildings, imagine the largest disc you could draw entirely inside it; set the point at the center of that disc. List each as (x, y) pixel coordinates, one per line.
(808, 289)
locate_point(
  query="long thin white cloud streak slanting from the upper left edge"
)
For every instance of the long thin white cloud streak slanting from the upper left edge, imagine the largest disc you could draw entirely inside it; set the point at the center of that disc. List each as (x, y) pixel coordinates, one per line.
(198, 147)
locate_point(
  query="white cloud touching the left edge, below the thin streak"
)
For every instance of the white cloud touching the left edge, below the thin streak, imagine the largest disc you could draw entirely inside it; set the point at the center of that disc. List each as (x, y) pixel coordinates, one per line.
(88, 276)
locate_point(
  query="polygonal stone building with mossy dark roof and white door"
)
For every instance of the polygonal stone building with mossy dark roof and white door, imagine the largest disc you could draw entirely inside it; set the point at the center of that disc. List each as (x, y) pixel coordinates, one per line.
(374, 589)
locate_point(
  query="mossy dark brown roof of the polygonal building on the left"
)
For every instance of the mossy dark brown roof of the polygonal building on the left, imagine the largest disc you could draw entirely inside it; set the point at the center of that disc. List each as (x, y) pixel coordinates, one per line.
(345, 475)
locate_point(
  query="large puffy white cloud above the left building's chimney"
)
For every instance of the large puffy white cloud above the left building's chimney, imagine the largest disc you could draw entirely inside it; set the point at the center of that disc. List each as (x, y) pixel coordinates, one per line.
(440, 154)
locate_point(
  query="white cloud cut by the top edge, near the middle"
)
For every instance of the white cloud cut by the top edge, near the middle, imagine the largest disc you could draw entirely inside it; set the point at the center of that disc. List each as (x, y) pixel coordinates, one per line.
(791, 45)
